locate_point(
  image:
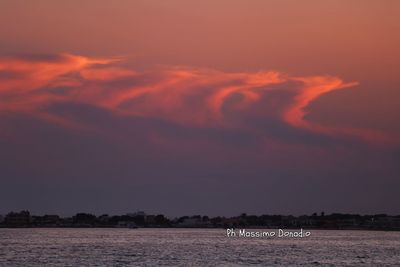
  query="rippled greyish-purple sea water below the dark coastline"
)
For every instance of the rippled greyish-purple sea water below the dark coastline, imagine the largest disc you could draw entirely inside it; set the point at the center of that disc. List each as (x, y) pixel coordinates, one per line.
(194, 247)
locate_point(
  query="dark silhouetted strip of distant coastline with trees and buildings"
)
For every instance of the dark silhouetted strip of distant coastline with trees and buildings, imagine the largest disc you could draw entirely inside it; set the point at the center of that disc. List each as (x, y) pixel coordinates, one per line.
(334, 221)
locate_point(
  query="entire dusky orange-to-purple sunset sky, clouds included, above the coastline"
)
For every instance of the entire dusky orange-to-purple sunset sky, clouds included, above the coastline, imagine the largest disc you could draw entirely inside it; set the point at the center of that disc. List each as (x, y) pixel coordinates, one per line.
(209, 107)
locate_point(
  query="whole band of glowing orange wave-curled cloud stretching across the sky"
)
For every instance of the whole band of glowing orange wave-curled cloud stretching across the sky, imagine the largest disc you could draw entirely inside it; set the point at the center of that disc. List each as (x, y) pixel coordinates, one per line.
(189, 96)
